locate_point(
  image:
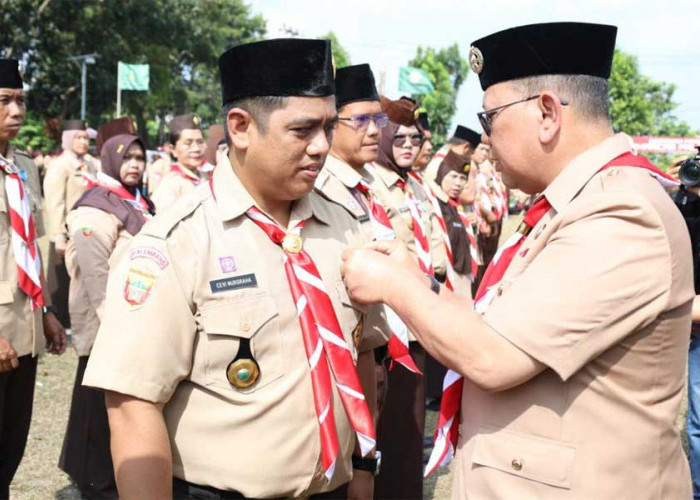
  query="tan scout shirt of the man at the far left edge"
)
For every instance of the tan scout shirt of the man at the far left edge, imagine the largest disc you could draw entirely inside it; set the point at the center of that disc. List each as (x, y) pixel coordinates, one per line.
(21, 326)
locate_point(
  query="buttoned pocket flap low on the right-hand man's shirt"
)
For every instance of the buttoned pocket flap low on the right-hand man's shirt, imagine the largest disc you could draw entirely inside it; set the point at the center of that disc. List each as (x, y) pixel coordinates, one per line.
(539, 459)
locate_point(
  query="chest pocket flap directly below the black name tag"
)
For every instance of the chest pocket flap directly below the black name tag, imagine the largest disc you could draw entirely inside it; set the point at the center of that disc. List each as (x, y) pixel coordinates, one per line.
(241, 317)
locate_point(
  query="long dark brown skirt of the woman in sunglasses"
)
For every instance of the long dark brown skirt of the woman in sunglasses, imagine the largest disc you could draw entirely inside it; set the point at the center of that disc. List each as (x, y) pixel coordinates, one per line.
(400, 432)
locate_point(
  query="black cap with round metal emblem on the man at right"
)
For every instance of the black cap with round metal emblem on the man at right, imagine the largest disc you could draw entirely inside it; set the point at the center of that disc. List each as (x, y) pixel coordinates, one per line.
(544, 49)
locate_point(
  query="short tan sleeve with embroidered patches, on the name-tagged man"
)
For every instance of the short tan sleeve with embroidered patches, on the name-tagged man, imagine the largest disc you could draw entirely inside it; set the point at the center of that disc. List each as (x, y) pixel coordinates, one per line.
(145, 343)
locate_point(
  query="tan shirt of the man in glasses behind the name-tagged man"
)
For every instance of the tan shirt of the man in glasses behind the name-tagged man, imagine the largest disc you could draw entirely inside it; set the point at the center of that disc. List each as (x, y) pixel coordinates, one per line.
(336, 183)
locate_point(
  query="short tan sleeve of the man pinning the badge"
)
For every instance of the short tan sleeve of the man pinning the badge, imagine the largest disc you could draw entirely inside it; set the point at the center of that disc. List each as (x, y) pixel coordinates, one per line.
(604, 274)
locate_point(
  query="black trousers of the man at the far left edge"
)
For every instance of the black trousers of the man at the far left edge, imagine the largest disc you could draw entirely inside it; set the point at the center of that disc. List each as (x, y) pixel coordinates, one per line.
(16, 399)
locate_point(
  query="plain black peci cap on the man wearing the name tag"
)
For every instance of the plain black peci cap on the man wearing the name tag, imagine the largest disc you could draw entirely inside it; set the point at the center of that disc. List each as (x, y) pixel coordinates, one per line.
(280, 67)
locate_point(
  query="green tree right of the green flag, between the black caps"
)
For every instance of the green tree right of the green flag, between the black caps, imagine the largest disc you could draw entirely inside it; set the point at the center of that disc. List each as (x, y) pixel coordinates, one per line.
(447, 70)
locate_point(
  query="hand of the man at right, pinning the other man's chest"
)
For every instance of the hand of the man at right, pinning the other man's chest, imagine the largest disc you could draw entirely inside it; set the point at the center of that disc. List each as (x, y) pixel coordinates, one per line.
(369, 270)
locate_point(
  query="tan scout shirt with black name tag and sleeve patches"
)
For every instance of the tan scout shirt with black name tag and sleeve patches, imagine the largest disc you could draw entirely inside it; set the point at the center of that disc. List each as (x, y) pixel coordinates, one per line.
(182, 295)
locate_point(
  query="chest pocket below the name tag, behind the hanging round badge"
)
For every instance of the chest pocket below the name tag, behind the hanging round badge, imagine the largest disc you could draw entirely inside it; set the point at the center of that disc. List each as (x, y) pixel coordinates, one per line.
(225, 323)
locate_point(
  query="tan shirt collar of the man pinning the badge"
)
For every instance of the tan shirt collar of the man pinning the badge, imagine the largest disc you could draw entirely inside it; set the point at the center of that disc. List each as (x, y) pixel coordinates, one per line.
(580, 170)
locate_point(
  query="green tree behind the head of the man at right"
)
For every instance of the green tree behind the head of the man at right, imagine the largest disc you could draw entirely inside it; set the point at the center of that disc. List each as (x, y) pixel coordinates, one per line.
(640, 105)
